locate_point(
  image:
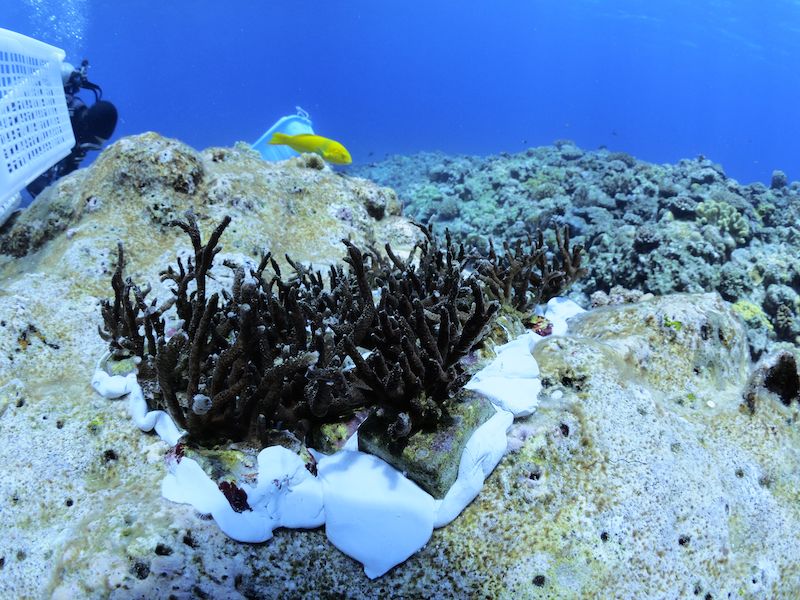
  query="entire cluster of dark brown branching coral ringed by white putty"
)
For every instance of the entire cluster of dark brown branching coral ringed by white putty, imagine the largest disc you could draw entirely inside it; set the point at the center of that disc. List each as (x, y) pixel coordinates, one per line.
(278, 353)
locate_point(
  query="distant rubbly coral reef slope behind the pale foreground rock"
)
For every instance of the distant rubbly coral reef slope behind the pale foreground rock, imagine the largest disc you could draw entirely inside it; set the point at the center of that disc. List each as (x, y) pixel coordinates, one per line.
(685, 227)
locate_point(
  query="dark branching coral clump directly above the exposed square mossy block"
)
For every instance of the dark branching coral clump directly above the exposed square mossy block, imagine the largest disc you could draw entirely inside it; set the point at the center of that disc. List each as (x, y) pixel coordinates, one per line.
(429, 317)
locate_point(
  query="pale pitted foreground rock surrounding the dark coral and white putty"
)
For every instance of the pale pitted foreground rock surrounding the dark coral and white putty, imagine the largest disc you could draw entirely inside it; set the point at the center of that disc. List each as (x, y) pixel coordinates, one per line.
(645, 472)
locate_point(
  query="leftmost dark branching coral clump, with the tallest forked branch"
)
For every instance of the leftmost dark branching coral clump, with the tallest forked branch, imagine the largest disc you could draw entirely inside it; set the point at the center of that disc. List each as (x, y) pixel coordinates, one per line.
(233, 358)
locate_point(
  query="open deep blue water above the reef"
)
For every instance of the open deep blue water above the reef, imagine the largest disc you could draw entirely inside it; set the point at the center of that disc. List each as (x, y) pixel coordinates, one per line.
(662, 80)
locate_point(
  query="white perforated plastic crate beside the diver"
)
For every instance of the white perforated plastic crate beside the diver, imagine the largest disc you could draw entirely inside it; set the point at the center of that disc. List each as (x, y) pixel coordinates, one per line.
(35, 131)
